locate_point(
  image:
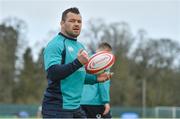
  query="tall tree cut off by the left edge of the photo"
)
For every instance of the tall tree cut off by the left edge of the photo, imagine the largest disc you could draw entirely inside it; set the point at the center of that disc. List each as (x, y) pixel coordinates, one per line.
(8, 45)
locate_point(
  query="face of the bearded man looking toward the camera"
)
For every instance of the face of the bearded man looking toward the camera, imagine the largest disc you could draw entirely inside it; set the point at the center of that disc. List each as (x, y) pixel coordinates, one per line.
(72, 25)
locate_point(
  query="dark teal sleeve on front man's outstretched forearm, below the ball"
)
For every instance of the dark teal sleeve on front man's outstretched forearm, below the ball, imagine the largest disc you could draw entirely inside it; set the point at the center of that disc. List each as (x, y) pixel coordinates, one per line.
(90, 79)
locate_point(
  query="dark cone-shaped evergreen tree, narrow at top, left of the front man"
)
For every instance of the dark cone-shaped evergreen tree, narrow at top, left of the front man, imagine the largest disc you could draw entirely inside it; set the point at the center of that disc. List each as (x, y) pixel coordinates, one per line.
(24, 88)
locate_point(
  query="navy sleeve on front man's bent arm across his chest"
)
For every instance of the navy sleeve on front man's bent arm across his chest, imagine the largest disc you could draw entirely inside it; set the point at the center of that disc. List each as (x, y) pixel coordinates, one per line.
(61, 71)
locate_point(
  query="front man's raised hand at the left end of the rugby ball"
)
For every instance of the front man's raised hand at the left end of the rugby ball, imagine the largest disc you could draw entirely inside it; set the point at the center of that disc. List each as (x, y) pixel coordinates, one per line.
(83, 57)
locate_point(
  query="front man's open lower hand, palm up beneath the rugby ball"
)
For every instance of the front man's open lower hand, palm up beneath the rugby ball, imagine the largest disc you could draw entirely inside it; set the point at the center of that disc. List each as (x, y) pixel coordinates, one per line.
(104, 76)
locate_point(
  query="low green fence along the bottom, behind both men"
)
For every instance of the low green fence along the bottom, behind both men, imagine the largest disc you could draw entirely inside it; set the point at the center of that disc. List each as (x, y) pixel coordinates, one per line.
(9, 110)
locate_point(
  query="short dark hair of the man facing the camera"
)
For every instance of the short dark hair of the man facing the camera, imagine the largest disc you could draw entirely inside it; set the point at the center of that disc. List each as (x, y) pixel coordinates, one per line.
(72, 10)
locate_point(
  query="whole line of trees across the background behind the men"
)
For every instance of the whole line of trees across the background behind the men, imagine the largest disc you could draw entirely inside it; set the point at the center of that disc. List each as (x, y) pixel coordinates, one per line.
(138, 59)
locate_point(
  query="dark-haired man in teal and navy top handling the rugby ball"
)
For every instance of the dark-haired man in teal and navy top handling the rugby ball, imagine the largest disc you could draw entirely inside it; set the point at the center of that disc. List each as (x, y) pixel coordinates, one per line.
(64, 58)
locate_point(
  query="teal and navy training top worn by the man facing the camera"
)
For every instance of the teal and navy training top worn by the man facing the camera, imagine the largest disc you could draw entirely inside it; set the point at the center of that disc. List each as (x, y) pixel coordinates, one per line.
(65, 80)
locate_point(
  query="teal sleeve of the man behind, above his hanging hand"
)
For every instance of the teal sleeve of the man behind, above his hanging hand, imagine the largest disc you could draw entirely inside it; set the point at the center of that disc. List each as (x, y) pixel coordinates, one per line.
(104, 90)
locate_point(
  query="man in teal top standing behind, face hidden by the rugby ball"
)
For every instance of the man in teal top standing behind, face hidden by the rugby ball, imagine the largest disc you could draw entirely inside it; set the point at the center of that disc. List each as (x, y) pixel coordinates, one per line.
(95, 98)
